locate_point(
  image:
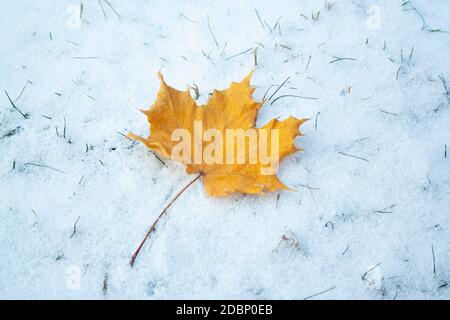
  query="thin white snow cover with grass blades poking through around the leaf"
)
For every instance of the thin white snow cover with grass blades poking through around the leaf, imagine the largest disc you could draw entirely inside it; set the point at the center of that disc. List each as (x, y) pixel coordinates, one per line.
(370, 217)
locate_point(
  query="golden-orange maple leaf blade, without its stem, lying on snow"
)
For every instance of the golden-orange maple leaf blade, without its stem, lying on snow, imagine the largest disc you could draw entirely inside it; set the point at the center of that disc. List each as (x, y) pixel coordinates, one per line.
(232, 108)
